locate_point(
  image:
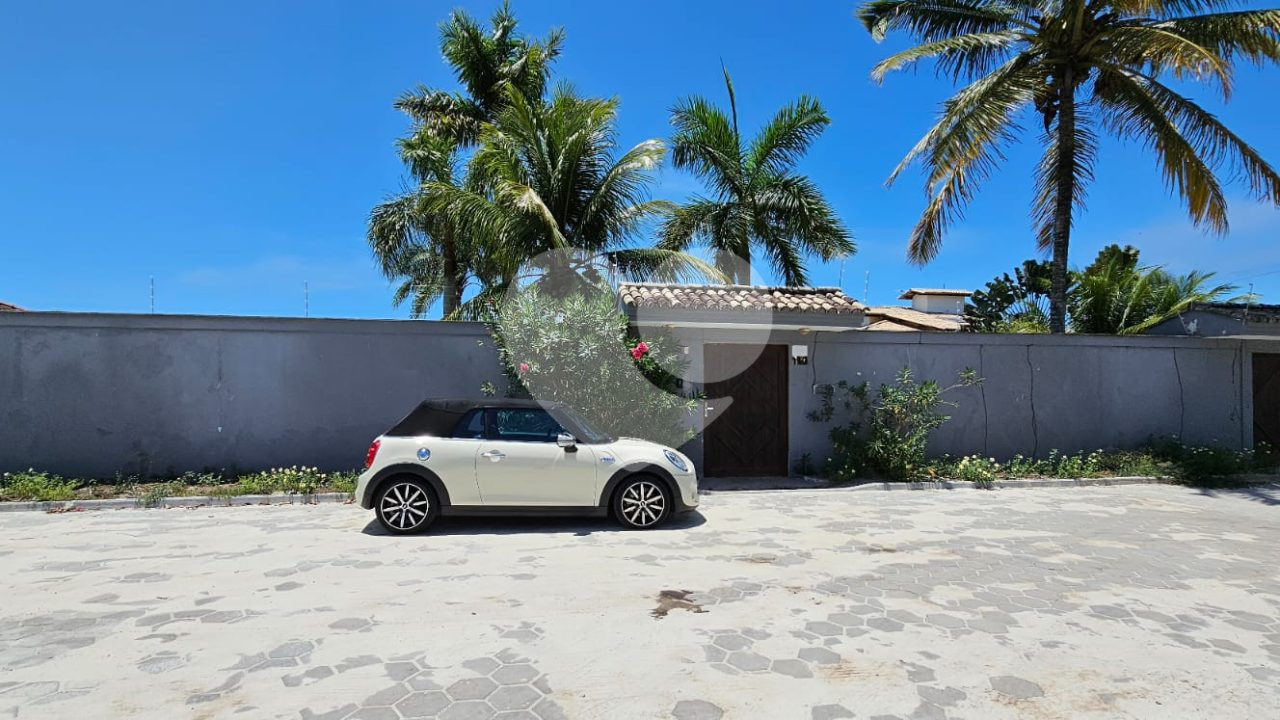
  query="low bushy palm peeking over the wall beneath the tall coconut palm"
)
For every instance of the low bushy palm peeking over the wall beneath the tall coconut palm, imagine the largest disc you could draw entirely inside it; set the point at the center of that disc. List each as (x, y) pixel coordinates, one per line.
(1117, 297)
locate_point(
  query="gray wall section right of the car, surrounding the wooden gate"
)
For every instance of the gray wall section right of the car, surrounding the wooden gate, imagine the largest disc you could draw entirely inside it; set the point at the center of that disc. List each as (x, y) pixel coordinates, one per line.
(1040, 393)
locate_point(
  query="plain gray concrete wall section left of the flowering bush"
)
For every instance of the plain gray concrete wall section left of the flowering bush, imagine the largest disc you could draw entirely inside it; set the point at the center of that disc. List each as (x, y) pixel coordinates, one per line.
(95, 395)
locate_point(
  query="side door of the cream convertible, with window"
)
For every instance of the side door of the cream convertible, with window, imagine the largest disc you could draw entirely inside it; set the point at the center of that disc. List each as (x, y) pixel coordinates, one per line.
(520, 463)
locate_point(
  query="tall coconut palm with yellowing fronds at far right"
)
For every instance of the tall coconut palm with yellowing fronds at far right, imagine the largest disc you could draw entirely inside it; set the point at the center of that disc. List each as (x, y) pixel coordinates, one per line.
(1081, 66)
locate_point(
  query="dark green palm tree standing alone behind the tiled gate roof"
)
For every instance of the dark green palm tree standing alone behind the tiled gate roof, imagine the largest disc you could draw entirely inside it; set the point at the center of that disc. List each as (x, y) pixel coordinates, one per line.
(758, 200)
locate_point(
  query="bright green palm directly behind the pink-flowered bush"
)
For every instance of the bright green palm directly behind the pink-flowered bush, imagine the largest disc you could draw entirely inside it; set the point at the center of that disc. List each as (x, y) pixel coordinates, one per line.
(546, 180)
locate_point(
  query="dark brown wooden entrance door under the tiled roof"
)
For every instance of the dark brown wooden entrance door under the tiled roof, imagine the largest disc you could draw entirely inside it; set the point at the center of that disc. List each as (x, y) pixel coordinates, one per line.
(751, 438)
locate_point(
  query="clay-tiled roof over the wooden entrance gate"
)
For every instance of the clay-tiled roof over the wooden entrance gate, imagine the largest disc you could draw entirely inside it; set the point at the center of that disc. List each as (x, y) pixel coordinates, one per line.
(829, 300)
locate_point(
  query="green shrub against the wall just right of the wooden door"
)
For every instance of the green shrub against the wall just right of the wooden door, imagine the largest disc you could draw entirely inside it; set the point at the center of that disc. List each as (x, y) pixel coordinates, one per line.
(889, 434)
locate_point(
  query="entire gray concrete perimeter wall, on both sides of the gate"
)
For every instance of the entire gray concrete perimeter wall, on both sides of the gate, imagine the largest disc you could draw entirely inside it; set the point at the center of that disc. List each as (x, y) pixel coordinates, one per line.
(97, 395)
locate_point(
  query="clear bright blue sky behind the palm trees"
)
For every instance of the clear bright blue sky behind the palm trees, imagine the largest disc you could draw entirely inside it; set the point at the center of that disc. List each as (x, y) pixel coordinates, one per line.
(232, 151)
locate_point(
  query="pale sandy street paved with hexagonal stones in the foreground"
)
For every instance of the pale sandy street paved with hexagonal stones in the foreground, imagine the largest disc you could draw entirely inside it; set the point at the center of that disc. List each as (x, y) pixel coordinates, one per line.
(1098, 603)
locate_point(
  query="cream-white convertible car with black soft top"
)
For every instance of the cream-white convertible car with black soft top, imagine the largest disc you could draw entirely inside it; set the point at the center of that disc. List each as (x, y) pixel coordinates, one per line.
(518, 458)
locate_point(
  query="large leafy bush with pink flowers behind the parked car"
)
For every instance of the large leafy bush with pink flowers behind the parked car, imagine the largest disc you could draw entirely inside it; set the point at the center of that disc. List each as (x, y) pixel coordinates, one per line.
(575, 349)
